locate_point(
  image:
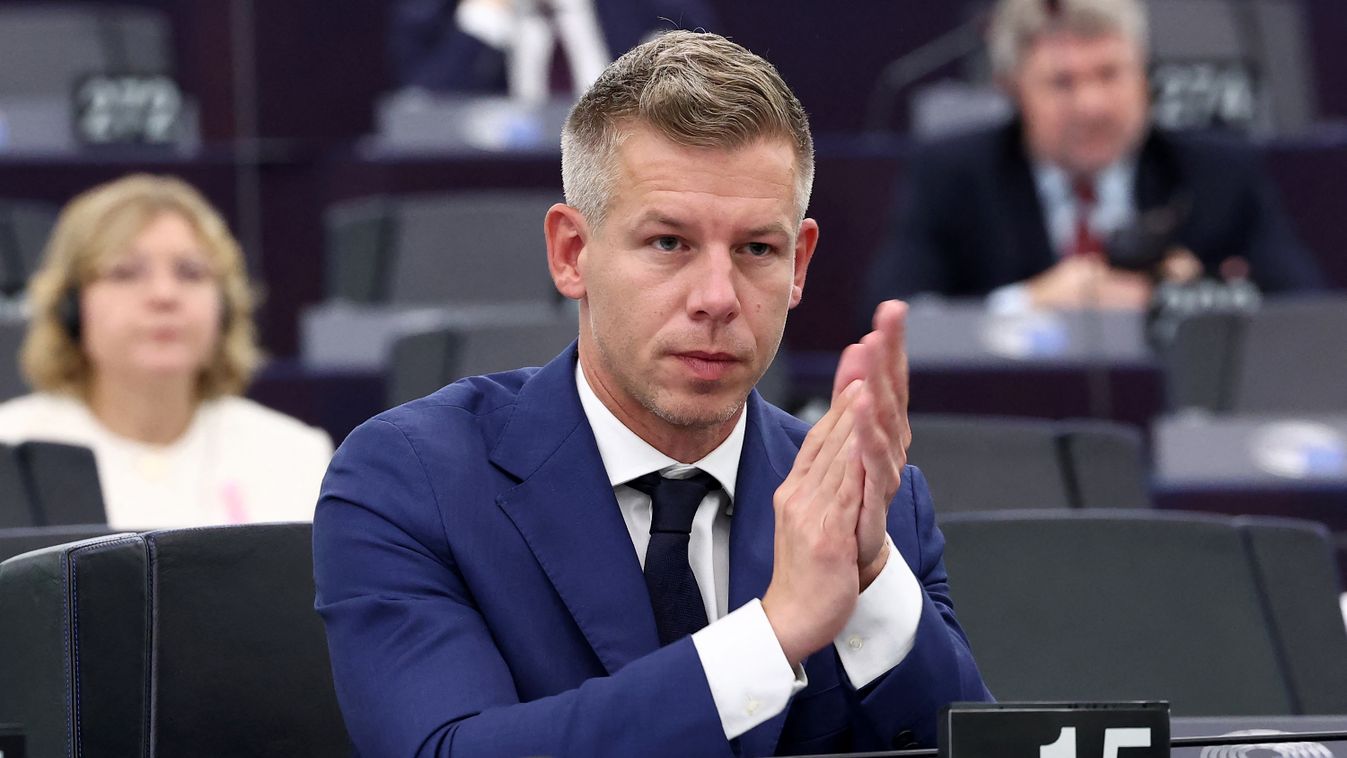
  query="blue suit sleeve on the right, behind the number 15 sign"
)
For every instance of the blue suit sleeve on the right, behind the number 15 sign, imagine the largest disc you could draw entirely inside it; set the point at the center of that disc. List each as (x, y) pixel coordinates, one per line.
(940, 670)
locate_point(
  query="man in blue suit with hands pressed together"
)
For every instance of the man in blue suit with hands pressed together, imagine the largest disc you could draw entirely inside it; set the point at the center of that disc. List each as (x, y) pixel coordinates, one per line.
(628, 553)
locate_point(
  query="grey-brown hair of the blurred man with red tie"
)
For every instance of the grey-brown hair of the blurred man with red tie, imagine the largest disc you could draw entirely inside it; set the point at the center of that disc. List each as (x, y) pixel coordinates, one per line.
(1016, 25)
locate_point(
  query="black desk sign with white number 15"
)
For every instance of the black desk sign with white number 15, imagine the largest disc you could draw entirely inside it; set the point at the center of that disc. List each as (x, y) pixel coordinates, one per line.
(1055, 730)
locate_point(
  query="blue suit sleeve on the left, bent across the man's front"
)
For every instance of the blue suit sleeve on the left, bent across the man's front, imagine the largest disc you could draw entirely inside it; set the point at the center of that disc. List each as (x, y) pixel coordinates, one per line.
(414, 663)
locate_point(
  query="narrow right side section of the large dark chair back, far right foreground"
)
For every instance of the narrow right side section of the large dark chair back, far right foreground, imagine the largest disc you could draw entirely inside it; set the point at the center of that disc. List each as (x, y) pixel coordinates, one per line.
(1298, 574)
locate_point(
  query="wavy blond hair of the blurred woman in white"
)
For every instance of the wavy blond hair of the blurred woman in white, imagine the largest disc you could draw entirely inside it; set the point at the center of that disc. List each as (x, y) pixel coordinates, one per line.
(102, 223)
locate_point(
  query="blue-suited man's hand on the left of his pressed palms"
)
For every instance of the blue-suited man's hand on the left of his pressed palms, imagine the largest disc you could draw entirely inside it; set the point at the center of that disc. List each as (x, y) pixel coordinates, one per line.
(814, 578)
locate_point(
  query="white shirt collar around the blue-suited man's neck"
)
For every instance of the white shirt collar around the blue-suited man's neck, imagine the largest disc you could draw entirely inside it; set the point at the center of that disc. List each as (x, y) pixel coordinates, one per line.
(627, 456)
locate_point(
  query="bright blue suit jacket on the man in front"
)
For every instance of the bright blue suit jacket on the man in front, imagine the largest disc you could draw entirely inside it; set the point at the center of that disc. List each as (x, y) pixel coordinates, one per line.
(483, 597)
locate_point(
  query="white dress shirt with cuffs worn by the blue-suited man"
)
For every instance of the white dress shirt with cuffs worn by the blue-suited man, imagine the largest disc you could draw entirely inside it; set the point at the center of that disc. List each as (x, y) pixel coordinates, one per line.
(748, 674)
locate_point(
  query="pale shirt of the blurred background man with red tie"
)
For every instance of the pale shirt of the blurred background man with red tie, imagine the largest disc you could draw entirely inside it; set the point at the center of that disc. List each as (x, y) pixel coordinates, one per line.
(1115, 209)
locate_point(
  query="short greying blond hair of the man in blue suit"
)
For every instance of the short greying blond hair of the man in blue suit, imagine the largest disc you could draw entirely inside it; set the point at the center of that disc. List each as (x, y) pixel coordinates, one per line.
(696, 90)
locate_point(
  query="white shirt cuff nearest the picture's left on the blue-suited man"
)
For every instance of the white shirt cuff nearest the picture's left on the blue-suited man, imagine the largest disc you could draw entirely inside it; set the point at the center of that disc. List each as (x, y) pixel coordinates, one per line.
(750, 677)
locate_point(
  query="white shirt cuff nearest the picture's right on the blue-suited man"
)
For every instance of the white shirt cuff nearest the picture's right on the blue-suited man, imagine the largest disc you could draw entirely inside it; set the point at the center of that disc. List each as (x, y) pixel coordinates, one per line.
(883, 628)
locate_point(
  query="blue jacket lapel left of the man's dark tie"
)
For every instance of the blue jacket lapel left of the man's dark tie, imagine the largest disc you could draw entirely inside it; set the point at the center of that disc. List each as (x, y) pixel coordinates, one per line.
(566, 512)
